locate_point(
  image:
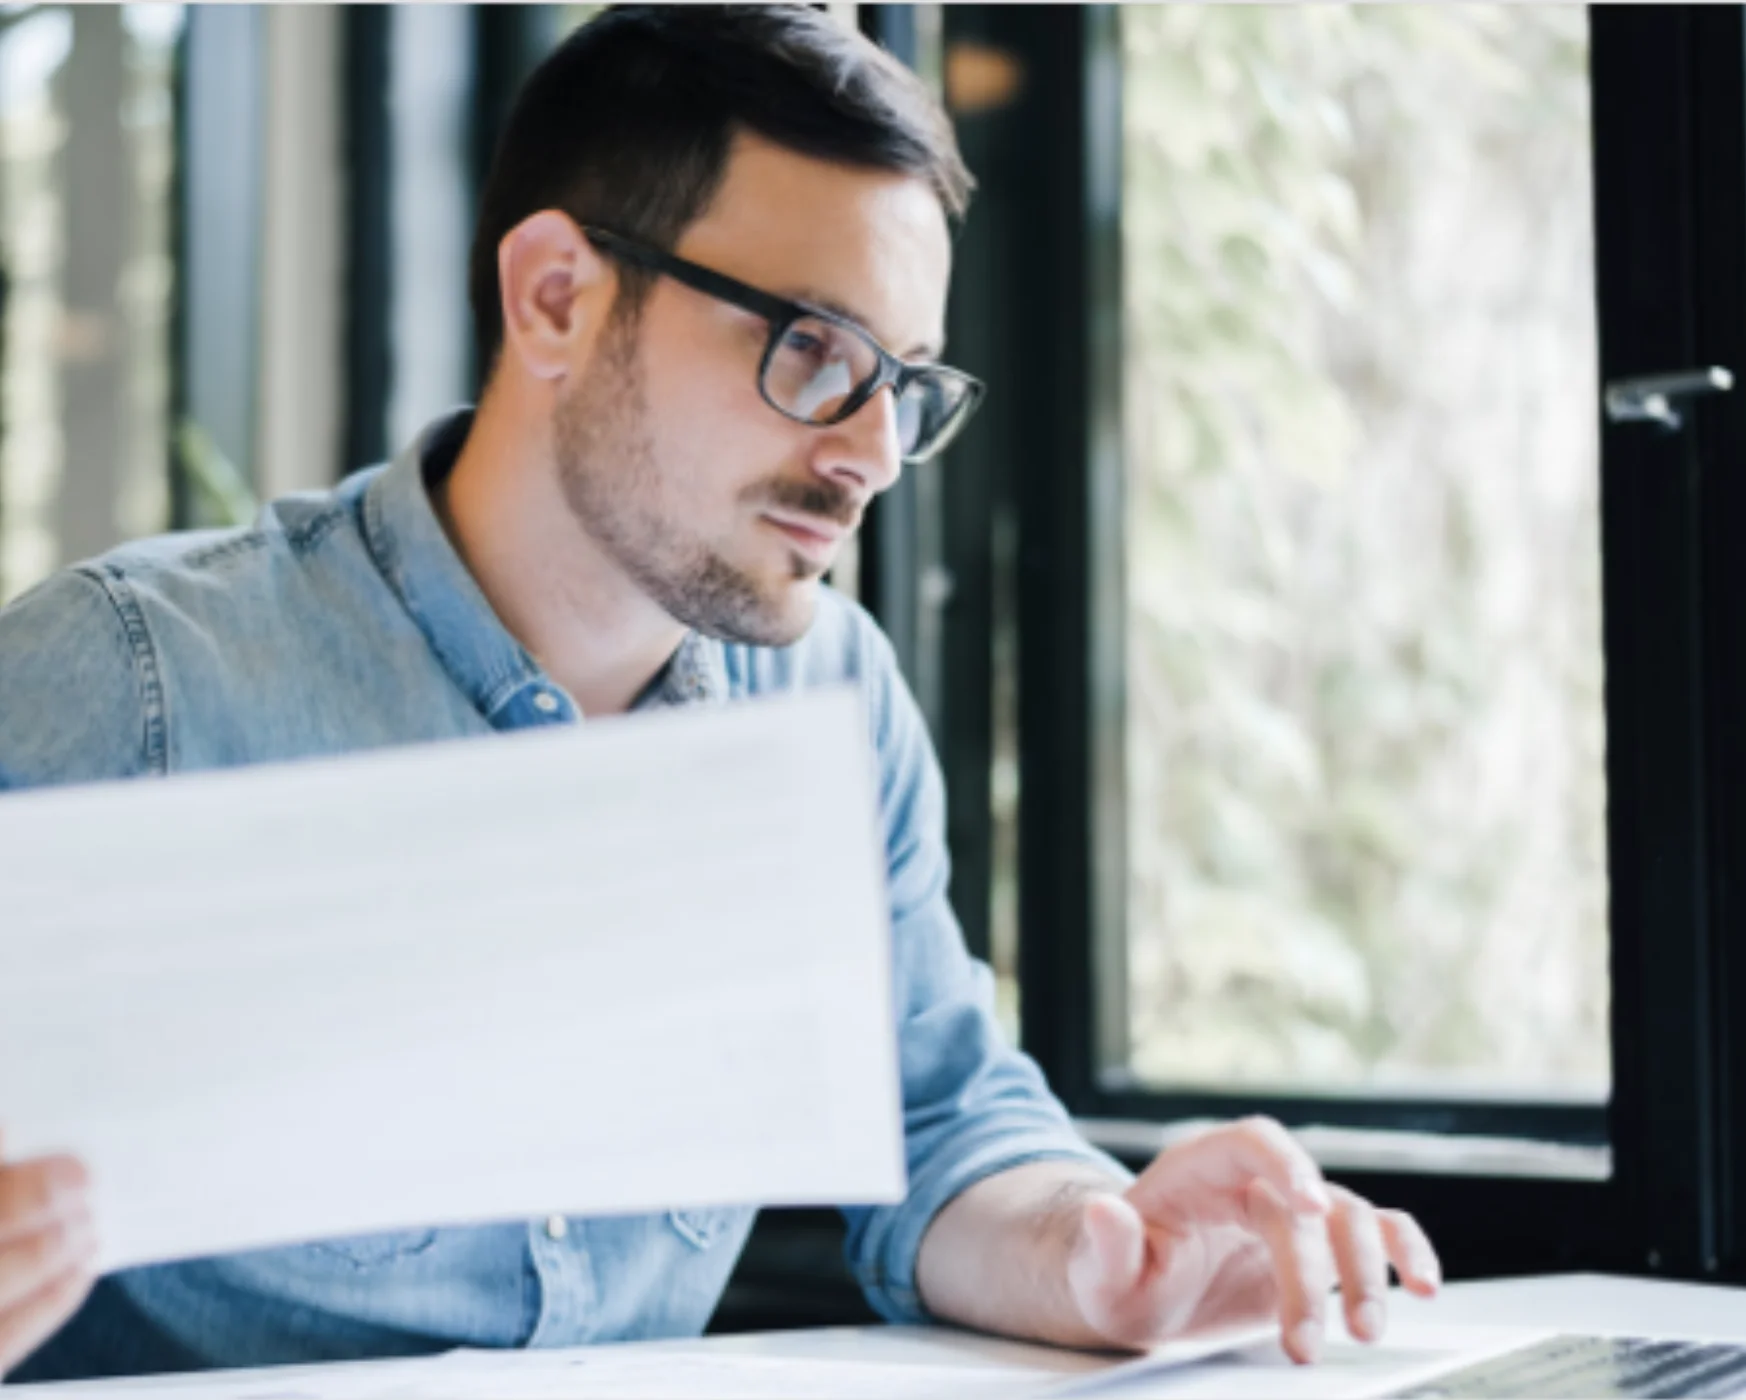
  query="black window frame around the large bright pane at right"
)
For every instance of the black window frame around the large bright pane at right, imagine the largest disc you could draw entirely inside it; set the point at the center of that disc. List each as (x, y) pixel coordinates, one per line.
(1670, 170)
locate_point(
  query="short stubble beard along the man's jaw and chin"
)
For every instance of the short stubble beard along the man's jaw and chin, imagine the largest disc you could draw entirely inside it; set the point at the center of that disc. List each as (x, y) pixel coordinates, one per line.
(612, 484)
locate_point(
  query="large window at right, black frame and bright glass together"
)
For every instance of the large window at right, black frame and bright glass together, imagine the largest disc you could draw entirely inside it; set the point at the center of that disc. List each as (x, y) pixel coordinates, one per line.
(1358, 743)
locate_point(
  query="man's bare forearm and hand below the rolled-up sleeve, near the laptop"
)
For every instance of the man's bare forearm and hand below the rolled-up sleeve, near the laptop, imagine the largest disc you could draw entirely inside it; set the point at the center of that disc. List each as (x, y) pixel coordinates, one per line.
(1230, 1228)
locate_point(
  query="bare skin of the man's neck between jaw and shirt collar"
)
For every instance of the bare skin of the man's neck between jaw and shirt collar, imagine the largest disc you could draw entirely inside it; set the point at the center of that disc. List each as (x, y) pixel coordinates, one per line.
(558, 594)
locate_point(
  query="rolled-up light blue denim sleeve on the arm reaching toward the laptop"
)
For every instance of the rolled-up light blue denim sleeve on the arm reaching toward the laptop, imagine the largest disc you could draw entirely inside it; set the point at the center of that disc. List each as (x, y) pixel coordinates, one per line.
(972, 1102)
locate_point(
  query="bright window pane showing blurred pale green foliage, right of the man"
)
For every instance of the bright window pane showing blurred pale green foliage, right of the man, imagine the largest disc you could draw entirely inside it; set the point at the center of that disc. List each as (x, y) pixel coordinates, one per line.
(1366, 732)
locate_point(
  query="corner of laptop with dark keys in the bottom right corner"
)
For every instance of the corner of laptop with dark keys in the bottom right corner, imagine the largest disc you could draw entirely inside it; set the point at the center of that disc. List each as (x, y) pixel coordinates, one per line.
(1597, 1368)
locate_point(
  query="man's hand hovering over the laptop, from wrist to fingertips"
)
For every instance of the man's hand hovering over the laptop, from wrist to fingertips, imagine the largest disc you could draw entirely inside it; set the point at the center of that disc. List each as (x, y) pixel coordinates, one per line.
(1237, 1226)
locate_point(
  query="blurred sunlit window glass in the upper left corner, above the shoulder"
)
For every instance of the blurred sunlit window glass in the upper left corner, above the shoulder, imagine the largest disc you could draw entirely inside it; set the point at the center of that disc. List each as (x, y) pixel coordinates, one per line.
(86, 160)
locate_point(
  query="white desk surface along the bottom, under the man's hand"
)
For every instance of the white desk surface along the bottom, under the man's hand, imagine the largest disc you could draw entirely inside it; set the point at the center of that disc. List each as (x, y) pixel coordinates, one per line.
(1481, 1315)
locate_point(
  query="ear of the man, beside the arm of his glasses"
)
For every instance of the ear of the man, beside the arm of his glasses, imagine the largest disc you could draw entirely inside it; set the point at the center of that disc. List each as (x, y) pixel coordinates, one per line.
(556, 289)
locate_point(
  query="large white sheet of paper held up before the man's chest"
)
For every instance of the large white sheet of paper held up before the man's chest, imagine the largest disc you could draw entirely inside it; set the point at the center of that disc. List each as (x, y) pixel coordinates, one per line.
(629, 966)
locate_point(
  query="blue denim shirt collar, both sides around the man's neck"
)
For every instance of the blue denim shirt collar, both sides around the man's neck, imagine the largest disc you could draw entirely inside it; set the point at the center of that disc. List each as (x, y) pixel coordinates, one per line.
(418, 561)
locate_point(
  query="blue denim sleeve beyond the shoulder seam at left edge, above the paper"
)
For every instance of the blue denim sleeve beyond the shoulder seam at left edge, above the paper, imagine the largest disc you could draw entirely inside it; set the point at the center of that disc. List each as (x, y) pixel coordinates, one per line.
(76, 704)
